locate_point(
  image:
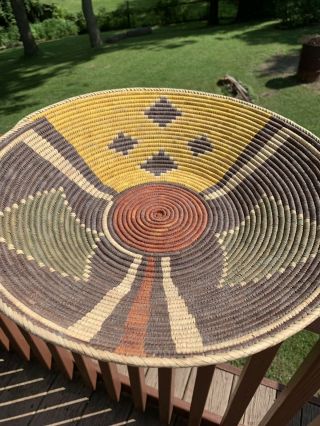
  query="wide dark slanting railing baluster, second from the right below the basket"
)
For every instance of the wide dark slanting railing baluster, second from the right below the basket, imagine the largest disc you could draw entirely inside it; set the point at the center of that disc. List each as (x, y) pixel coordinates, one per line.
(248, 383)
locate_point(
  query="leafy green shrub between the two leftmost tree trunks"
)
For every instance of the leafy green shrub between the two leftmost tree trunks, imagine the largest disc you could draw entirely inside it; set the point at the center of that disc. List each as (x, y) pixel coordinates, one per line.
(54, 28)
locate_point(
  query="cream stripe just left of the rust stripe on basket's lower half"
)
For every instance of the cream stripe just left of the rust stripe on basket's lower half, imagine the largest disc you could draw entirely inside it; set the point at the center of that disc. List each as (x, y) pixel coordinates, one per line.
(90, 324)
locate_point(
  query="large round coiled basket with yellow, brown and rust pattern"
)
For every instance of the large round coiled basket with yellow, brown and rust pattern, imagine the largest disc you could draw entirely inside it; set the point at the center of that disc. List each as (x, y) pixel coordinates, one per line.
(159, 227)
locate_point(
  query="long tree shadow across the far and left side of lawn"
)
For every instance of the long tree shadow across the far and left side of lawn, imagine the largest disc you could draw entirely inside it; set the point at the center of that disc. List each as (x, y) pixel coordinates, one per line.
(20, 76)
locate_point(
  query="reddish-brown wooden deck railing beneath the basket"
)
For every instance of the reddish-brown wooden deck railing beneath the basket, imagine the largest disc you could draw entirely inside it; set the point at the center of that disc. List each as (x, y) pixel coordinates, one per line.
(303, 385)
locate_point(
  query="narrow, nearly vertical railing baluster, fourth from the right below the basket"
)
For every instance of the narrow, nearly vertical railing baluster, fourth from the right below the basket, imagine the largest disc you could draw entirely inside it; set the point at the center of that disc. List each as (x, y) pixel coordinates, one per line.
(166, 380)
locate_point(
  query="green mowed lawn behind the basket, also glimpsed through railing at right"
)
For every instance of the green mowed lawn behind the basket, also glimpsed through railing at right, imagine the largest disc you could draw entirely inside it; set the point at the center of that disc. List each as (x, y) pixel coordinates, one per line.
(186, 56)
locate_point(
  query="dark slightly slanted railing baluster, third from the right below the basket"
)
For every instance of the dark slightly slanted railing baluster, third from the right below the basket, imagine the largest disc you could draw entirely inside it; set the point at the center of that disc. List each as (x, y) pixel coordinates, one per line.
(200, 393)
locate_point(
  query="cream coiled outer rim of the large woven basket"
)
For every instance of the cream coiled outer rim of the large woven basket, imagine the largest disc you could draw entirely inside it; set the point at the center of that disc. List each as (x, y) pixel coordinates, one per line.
(93, 351)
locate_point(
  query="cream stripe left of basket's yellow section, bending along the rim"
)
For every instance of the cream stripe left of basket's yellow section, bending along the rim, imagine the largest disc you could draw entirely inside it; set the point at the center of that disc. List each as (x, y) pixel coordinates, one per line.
(43, 148)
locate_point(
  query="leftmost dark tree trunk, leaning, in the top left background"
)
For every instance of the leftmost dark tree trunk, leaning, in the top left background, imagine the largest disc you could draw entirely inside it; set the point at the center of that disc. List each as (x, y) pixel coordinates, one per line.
(20, 14)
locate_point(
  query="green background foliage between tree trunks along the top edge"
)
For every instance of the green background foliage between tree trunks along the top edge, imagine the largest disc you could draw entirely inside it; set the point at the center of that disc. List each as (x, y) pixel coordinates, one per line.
(59, 19)
